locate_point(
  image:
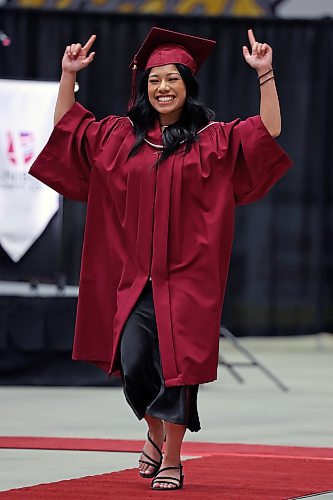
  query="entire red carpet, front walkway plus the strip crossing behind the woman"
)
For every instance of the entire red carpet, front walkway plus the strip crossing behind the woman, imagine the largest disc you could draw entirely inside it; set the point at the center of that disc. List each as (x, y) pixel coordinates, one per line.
(226, 471)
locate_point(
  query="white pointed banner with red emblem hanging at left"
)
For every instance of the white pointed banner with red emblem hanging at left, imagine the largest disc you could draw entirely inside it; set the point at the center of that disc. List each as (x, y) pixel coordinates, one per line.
(26, 122)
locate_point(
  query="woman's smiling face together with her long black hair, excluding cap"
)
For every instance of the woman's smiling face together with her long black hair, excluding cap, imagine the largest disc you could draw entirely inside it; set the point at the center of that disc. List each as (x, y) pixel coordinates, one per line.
(169, 94)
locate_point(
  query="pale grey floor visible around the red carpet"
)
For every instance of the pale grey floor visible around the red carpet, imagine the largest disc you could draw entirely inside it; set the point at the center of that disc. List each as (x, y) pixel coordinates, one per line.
(254, 412)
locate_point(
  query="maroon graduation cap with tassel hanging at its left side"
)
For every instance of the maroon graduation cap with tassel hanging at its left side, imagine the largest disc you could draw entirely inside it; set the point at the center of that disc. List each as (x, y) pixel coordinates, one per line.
(169, 47)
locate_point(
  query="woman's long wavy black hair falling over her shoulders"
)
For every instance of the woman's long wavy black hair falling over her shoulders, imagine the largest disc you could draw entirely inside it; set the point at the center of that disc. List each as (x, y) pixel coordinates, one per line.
(195, 115)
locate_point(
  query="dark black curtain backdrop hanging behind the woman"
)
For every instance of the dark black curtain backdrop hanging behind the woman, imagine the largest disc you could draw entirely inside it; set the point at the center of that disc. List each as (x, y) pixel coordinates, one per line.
(281, 269)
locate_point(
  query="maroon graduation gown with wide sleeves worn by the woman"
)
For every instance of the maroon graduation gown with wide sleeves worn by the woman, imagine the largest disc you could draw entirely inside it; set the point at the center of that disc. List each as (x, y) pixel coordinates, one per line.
(174, 222)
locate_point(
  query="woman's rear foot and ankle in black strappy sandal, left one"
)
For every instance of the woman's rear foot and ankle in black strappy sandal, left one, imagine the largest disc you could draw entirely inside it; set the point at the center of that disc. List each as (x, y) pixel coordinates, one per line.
(151, 455)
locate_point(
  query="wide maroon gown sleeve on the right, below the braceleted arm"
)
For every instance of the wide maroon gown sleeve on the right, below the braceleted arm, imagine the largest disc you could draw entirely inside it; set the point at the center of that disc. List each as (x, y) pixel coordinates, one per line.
(259, 162)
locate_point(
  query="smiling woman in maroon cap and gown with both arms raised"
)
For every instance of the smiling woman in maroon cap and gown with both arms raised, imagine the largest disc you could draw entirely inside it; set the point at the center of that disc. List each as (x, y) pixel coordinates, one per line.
(161, 184)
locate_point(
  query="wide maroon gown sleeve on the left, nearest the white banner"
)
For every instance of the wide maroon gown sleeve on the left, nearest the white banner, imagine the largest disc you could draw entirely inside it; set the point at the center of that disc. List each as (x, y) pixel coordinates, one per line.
(65, 162)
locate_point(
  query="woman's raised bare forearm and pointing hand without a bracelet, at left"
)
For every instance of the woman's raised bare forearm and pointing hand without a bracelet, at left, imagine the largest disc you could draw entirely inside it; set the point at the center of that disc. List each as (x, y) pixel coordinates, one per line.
(75, 58)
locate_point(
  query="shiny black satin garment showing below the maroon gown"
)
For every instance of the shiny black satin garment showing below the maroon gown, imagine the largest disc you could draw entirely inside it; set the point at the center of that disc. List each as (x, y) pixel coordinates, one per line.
(141, 370)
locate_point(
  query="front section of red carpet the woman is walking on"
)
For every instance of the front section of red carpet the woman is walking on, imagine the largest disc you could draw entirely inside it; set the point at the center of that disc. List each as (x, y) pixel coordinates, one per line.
(227, 477)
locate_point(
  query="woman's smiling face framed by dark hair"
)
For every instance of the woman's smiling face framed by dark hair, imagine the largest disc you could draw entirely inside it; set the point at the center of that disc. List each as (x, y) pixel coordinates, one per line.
(166, 92)
